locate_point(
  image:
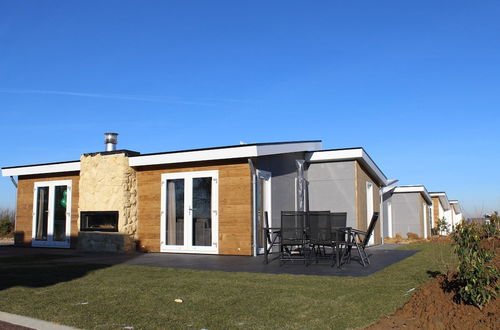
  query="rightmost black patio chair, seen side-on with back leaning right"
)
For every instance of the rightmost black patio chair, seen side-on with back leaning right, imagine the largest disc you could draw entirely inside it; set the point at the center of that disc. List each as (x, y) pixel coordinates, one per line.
(359, 239)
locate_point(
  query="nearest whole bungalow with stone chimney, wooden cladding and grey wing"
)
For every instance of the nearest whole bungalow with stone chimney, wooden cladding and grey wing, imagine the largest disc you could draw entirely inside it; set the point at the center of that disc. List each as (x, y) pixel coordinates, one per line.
(209, 201)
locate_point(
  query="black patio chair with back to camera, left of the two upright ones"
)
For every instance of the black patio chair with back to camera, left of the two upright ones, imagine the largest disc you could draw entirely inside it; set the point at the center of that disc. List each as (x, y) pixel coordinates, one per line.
(293, 240)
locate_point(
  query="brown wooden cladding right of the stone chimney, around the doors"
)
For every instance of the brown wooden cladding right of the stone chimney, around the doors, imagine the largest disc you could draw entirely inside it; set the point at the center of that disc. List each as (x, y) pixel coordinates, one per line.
(235, 202)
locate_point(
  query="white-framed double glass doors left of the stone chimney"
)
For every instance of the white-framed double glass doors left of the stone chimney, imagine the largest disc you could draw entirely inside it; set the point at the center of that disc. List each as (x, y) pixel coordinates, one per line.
(52, 214)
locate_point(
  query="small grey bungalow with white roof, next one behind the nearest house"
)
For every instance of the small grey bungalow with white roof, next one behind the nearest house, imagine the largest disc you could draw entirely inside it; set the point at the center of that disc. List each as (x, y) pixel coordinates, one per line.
(408, 210)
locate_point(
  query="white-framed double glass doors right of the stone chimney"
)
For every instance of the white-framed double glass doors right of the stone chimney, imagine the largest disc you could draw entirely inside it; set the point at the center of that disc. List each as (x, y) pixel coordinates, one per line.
(189, 213)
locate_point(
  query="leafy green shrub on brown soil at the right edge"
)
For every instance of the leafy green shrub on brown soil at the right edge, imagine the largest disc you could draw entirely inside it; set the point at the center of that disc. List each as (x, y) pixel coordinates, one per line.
(476, 279)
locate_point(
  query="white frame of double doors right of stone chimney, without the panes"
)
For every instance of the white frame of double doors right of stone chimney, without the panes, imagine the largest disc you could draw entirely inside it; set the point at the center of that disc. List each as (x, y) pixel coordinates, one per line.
(188, 246)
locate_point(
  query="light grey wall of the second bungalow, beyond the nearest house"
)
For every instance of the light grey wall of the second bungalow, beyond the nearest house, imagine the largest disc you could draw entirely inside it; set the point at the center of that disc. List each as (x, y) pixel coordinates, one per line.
(406, 213)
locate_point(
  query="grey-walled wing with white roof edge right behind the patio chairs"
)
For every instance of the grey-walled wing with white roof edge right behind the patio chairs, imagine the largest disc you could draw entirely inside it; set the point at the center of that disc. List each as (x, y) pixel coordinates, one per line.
(347, 180)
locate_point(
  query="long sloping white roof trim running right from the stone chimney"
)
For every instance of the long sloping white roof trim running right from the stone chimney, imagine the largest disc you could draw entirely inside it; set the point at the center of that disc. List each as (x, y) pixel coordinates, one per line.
(223, 153)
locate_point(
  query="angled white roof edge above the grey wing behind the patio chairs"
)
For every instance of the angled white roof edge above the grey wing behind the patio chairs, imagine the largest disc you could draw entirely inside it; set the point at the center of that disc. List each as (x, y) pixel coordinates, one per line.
(358, 154)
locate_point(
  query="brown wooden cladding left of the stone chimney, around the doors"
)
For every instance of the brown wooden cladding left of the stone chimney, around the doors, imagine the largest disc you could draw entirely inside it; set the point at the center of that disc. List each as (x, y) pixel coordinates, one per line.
(24, 206)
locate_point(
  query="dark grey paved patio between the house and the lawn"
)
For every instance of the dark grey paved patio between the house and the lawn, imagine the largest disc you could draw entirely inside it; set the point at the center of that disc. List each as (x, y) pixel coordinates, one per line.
(380, 257)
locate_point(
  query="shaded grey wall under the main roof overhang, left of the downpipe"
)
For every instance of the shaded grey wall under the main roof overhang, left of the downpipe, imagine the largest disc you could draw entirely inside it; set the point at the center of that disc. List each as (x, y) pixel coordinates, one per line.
(283, 173)
